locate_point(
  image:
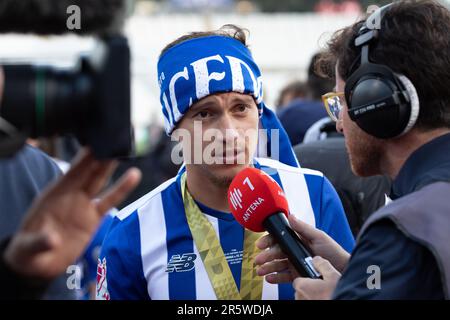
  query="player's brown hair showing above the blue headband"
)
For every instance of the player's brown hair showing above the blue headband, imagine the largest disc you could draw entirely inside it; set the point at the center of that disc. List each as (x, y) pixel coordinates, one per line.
(228, 30)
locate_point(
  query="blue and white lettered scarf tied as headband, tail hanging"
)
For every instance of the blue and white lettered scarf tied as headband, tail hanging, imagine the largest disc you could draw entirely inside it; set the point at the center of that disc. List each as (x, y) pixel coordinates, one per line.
(196, 68)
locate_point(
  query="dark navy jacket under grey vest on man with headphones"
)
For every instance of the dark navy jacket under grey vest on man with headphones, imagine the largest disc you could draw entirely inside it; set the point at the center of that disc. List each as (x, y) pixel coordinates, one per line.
(409, 269)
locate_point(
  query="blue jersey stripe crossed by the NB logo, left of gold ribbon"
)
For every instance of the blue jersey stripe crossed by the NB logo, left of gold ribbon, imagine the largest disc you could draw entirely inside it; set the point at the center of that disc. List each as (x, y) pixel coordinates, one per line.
(179, 241)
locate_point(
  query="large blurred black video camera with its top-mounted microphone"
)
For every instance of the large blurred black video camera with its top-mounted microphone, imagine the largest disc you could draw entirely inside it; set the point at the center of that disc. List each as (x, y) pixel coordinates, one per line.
(91, 100)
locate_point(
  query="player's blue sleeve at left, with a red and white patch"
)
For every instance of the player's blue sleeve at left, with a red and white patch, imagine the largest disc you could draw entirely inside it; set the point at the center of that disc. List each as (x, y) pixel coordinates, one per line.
(119, 272)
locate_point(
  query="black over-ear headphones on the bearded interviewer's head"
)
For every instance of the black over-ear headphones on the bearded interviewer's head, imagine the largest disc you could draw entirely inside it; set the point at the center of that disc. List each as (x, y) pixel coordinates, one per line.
(382, 103)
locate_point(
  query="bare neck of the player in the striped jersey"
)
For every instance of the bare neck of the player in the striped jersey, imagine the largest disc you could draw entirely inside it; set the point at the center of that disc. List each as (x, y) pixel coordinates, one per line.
(205, 191)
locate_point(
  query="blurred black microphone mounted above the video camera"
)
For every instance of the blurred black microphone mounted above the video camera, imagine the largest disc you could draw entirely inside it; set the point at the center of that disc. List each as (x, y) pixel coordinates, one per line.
(47, 17)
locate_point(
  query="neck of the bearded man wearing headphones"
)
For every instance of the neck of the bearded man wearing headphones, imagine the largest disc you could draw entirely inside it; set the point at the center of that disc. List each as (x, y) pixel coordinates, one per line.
(398, 150)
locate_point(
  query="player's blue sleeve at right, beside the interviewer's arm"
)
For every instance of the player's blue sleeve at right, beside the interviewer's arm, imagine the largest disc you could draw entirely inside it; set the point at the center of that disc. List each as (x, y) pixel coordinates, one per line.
(333, 220)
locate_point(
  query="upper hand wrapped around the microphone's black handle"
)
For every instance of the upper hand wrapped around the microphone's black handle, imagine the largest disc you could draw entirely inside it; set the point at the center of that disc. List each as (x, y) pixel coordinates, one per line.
(274, 263)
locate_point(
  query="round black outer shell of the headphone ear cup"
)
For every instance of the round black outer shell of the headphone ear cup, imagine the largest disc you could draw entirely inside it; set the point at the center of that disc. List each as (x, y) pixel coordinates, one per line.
(371, 89)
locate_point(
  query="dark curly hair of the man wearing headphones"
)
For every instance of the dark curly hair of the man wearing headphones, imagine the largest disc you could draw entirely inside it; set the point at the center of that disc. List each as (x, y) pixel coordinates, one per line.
(414, 40)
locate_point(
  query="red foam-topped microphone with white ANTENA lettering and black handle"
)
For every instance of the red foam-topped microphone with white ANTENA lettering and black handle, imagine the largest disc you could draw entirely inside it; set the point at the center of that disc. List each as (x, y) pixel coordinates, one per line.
(258, 203)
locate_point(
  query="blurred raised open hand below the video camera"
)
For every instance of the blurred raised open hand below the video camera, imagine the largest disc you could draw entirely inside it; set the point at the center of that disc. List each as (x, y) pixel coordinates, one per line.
(62, 221)
